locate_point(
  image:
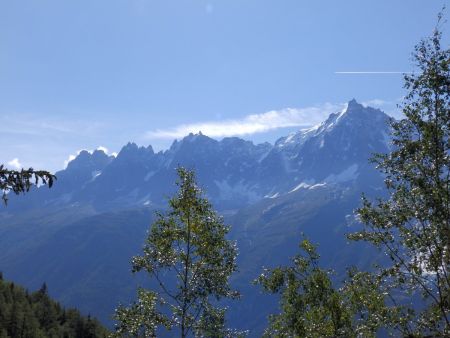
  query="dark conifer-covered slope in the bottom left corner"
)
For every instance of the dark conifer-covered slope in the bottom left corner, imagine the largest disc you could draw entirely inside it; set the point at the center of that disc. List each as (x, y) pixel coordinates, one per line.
(36, 315)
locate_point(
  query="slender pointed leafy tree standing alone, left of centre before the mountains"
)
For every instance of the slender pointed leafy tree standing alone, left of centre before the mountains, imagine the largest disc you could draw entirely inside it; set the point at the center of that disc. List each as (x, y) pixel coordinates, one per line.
(189, 258)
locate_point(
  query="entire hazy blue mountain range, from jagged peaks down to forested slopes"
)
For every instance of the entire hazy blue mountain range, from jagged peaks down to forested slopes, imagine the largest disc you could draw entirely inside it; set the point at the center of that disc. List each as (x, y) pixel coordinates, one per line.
(80, 235)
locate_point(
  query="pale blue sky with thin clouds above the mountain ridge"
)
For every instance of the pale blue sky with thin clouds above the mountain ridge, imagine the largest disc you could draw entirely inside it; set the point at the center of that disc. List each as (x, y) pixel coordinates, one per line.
(87, 73)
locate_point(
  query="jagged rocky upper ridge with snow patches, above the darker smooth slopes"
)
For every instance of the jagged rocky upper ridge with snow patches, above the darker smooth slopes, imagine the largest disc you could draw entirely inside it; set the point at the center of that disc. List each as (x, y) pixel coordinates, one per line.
(233, 171)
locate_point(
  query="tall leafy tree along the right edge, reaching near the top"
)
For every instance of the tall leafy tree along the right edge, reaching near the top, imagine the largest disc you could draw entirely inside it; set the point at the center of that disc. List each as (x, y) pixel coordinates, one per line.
(412, 226)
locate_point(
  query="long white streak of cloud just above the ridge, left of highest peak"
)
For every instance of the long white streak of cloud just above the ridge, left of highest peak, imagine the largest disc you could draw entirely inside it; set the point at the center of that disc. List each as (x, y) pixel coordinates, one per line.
(252, 124)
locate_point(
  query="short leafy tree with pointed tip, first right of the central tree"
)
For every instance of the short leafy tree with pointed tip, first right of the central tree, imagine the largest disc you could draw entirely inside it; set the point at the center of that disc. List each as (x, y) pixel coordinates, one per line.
(310, 306)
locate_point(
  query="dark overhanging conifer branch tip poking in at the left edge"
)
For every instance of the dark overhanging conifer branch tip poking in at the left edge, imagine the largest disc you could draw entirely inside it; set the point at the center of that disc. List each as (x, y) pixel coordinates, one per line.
(21, 181)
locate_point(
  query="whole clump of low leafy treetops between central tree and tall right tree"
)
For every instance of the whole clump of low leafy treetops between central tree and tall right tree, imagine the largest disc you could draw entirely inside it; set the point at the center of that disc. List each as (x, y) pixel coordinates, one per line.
(310, 306)
